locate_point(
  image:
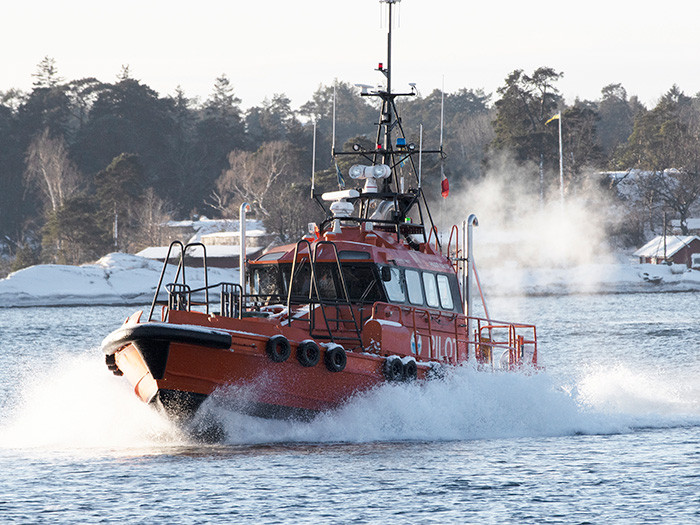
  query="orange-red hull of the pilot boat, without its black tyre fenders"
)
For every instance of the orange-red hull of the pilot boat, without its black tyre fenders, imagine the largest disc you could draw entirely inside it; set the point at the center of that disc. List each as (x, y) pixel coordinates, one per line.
(275, 389)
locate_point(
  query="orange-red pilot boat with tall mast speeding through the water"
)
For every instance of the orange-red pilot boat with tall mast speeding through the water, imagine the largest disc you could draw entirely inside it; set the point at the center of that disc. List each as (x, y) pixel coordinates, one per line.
(369, 296)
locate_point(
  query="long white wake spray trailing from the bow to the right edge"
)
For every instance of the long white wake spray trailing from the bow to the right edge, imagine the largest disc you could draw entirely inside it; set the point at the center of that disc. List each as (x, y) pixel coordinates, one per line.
(471, 405)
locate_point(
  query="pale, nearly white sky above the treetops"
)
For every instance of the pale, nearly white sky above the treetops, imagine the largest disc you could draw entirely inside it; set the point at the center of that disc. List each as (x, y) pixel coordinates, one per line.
(279, 46)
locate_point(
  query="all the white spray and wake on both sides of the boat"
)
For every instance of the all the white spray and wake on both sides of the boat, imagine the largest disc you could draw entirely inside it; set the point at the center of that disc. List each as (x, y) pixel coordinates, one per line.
(77, 406)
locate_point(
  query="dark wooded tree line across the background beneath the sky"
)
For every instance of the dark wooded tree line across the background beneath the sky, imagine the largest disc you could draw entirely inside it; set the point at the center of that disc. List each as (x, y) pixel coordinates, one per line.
(88, 166)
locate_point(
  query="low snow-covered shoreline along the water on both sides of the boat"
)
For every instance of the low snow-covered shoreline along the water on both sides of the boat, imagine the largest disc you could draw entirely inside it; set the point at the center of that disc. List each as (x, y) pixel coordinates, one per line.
(121, 279)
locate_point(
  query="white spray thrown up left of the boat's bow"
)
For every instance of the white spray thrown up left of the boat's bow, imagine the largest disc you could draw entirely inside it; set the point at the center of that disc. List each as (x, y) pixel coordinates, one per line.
(76, 405)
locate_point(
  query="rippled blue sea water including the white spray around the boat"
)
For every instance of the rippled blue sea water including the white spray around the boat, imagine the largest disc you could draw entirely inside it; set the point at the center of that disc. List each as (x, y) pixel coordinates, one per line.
(608, 432)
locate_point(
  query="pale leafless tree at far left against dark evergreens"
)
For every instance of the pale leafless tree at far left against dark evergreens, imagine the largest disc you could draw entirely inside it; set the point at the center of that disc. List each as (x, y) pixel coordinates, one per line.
(49, 168)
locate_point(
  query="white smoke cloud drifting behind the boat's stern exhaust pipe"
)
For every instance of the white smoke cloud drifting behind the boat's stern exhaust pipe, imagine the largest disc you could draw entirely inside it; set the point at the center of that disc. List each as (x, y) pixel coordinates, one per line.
(519, 234)
